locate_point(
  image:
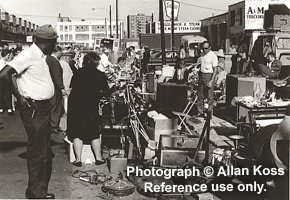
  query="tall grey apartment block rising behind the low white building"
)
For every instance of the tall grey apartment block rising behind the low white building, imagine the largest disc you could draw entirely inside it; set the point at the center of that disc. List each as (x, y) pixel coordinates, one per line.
(136, 24)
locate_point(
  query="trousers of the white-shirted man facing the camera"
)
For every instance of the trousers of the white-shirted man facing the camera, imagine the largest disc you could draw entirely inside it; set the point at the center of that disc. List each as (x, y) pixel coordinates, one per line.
(204, 92)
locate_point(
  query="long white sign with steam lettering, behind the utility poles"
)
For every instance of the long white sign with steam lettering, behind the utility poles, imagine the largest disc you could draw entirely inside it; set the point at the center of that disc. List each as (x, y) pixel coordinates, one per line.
(179, 27)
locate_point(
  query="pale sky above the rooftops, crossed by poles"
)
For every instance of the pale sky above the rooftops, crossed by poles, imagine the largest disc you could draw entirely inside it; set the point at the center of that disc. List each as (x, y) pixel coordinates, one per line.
(46, 11)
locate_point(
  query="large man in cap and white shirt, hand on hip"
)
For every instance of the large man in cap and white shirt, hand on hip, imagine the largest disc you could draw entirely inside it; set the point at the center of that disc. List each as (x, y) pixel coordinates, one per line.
(35, 89)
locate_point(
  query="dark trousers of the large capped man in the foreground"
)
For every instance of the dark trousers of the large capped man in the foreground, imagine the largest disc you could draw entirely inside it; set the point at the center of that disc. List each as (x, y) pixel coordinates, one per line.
(36, 120)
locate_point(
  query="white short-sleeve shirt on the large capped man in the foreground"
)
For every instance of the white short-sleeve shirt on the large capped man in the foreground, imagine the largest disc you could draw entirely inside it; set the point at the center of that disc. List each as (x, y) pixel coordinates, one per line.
(33, 80)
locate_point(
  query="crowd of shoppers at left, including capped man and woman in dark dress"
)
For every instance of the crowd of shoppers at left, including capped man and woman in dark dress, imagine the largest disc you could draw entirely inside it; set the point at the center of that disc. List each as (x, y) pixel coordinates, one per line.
(51, 83)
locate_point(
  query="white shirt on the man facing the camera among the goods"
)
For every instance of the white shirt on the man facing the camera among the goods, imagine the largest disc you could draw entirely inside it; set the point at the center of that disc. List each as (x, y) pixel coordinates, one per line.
(208, 61)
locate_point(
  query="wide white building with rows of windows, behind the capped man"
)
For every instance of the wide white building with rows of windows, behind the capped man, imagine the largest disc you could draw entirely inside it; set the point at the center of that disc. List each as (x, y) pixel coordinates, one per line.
(83, 33)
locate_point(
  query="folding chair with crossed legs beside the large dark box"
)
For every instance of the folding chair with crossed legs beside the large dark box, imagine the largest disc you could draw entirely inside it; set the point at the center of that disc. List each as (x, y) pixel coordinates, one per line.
(182, 115)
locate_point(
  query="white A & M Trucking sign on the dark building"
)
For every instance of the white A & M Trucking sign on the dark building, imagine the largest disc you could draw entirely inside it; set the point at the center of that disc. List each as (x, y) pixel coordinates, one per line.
(255, 12)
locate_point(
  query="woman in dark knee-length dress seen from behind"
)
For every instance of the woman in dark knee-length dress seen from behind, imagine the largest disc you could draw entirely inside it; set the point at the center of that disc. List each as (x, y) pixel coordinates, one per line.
(88, 85)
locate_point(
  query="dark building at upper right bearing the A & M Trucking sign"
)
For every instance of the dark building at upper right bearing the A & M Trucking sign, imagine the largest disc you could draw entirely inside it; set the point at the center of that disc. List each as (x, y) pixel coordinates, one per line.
(243, 19)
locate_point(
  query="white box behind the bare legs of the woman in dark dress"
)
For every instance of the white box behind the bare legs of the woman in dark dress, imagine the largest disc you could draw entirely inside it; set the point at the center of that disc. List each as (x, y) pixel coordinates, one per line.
(87, 153)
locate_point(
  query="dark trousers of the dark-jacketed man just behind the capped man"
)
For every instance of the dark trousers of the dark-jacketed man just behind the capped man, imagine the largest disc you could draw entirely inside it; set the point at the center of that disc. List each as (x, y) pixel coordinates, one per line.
(56, 108)
